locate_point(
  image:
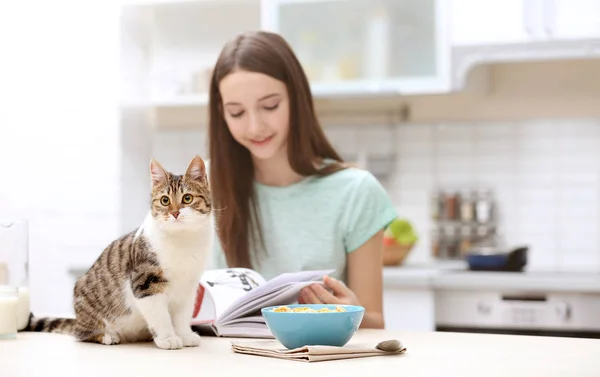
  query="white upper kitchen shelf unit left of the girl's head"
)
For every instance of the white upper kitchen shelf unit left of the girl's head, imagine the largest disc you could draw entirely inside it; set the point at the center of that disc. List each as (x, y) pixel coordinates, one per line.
(169, 48)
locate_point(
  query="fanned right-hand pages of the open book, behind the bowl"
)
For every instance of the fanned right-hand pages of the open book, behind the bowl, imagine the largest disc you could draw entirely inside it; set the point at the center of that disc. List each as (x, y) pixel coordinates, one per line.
(280, 285)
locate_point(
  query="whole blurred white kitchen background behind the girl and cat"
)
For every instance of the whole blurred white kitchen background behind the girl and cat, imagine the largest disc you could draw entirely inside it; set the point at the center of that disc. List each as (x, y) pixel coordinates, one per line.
(452, 95)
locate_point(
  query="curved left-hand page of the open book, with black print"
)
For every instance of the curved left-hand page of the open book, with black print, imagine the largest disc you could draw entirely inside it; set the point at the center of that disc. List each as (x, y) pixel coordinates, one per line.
(219, 289)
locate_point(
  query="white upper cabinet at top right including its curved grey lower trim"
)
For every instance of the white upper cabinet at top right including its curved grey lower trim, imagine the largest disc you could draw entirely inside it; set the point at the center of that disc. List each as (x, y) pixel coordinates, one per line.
(490, 31)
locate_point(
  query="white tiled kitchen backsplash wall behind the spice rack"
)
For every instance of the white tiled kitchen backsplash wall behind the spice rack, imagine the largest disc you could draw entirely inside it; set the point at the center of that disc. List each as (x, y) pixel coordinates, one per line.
(544, 173)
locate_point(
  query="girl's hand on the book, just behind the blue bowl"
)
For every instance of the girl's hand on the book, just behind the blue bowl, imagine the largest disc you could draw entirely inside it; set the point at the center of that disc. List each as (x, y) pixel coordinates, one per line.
(318, 294)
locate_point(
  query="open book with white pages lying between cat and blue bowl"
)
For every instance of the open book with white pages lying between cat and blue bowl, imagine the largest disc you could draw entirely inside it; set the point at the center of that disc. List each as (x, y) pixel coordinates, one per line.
(229, 300)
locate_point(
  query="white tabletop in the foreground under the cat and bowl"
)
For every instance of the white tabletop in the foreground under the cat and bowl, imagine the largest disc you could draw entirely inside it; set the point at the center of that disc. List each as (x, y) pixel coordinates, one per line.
(428, 354)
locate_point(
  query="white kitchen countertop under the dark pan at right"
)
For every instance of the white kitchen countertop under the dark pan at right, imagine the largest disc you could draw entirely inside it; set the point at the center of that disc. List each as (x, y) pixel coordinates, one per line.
(454, 275)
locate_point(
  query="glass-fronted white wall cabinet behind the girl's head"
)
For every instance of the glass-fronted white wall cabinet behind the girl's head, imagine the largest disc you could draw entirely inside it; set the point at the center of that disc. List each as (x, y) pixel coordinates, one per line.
(352, 47)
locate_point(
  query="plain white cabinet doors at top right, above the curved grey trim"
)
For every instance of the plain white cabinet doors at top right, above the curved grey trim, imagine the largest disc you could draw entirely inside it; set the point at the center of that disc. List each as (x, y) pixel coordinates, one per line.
(489, 22)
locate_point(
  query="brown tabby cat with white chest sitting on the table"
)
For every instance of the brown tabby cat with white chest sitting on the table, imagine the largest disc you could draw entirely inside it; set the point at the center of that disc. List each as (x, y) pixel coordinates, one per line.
(143, 286)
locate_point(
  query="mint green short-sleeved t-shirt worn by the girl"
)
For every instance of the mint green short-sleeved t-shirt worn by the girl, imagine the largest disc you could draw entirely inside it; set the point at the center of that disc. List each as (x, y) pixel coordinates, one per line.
(315, 223)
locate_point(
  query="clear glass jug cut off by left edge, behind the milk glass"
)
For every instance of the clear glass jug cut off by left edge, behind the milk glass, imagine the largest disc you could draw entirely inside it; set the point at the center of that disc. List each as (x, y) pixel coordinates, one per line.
(14, 264)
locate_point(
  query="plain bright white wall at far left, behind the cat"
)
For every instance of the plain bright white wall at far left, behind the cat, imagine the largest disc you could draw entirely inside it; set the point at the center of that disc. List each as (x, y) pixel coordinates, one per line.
(59, 137)
